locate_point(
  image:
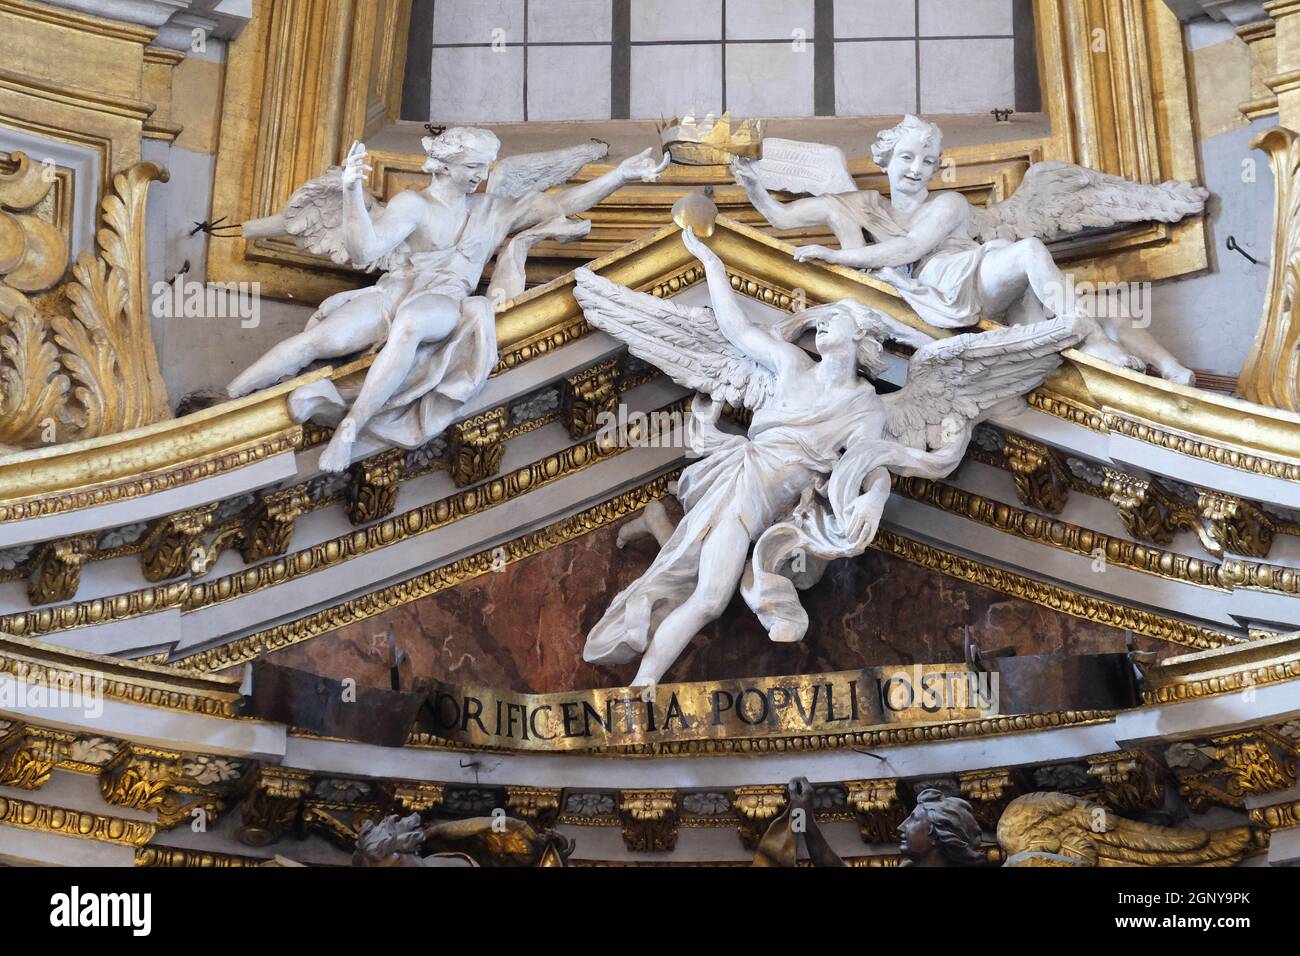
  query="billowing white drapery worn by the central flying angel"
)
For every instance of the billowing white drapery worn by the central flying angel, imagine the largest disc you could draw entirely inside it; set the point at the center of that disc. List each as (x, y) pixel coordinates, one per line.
(768, 478)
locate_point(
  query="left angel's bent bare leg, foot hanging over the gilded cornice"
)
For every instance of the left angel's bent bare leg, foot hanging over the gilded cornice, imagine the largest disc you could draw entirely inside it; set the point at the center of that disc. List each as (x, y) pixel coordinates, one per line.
(423, 319)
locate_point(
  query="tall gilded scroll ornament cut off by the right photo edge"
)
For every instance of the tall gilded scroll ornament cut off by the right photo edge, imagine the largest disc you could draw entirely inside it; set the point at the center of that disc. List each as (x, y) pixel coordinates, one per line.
(1272, 371)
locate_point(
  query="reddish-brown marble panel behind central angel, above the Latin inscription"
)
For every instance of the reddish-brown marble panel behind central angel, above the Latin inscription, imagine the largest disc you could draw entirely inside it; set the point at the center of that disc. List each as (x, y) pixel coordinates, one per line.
(523, 629)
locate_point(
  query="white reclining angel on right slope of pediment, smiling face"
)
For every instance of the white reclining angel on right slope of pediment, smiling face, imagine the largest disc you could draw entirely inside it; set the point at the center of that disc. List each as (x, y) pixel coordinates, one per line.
(956, 263)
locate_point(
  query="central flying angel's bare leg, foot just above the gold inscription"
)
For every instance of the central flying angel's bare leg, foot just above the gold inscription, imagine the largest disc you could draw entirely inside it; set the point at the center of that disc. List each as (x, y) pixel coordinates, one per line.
(722, 561)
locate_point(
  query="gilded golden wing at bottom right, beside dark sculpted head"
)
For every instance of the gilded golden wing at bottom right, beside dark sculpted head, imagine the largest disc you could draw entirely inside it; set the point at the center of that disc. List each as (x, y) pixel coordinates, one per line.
(1063, 829)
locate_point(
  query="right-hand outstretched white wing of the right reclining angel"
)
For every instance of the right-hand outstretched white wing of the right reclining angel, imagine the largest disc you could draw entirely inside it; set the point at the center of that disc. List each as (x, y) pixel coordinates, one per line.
(1060, 198)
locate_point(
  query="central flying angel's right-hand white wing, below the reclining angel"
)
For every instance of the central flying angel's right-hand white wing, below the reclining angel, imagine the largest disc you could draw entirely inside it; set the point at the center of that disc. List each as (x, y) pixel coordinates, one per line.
(954, 383)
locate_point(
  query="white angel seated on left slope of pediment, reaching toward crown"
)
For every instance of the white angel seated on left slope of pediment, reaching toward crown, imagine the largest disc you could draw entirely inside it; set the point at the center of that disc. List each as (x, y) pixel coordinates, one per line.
(435, 343)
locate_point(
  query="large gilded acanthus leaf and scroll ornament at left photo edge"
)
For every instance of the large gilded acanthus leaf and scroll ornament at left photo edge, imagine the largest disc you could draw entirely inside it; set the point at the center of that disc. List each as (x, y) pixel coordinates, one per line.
(79, 362)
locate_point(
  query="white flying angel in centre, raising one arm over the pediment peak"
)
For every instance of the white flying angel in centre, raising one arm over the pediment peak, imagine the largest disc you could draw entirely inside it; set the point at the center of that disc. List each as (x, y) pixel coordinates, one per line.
(809, 482)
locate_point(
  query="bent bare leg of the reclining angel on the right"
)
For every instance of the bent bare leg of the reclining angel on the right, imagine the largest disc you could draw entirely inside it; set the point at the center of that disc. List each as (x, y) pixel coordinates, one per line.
(1007, 271)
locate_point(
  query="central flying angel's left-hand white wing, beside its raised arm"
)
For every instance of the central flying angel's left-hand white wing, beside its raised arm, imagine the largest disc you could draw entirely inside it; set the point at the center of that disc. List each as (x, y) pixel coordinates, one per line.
(684, 341)
